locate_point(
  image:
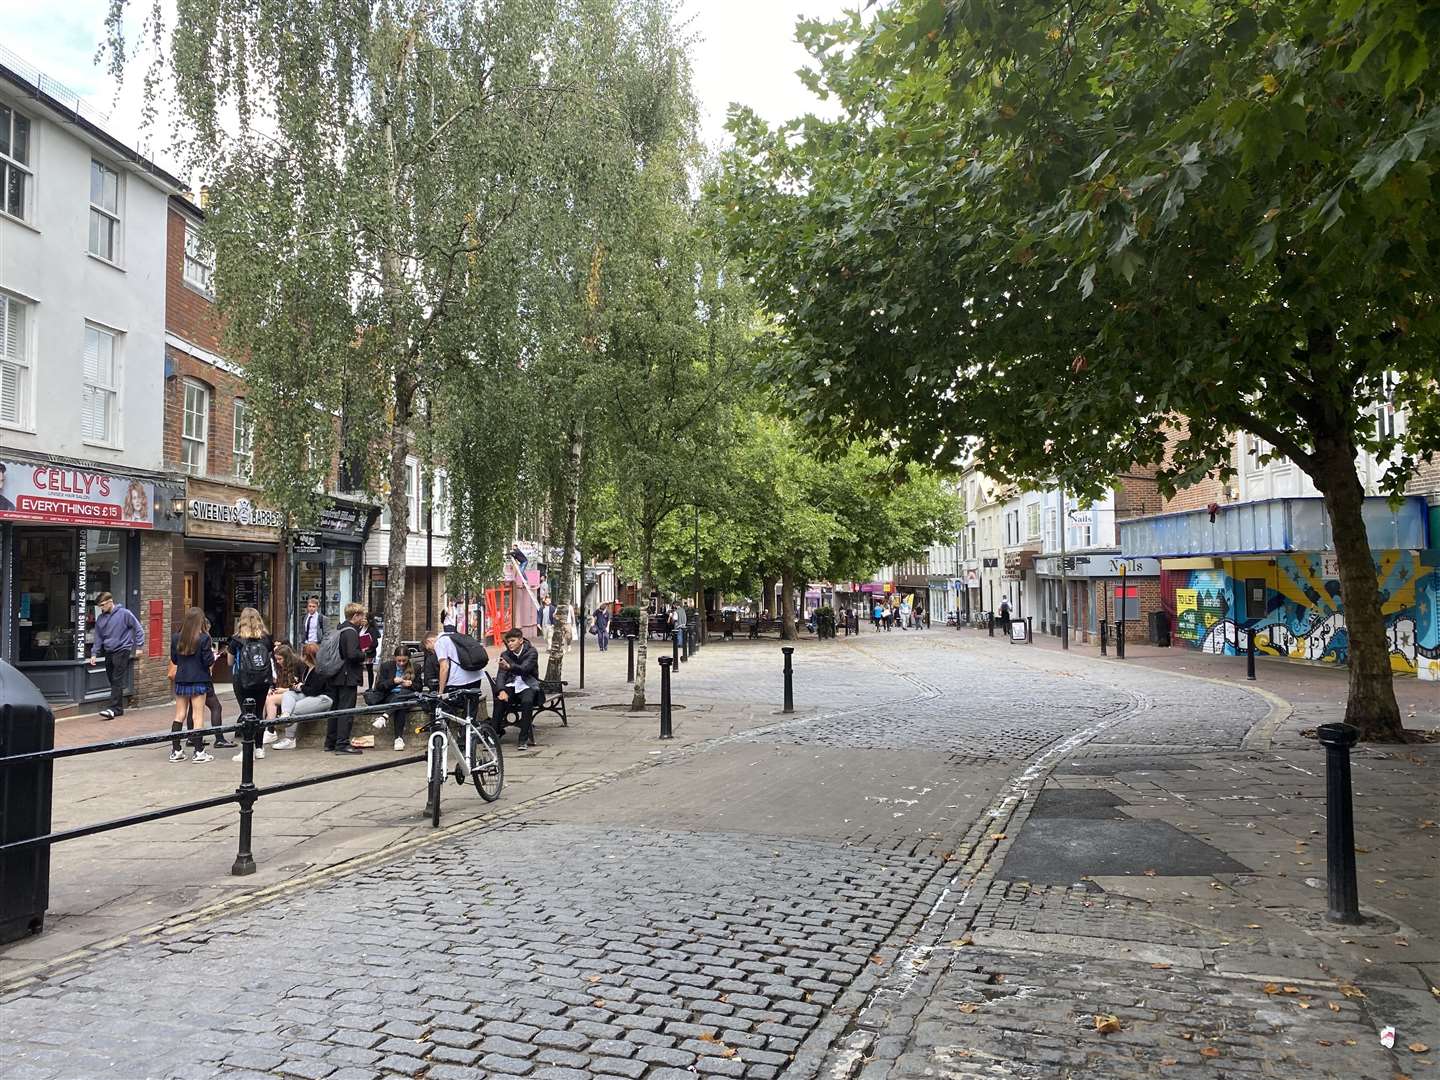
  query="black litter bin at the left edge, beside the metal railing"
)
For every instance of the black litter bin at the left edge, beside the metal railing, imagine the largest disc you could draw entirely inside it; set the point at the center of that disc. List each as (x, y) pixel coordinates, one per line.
(27, 725)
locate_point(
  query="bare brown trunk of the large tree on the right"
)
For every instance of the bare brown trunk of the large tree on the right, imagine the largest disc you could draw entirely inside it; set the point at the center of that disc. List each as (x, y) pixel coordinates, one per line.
(1372, 703)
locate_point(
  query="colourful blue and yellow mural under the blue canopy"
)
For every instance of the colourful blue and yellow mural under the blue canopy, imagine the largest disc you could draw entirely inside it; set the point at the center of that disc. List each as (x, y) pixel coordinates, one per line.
(1294, 603)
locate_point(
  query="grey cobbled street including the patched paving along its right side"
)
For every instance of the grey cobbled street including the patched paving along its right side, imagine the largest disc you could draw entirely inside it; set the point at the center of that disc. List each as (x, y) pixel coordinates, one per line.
(957, 860)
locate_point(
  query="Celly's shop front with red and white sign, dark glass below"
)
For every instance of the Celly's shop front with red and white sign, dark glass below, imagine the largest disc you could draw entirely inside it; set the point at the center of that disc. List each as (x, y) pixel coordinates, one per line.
(67, 535)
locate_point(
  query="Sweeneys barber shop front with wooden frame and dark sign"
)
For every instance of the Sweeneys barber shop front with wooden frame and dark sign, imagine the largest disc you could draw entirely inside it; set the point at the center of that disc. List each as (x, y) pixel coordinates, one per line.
(233, 557)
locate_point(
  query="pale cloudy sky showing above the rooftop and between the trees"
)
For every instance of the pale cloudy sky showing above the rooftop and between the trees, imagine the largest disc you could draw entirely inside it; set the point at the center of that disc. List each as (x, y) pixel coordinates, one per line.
(745, 53)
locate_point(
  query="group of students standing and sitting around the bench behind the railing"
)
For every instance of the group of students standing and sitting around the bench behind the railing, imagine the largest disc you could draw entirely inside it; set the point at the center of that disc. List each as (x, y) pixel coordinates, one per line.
(286, 683)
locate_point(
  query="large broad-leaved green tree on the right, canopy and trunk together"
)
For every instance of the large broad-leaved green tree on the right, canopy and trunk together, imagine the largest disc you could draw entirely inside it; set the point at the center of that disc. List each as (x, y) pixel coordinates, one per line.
(1053, 231)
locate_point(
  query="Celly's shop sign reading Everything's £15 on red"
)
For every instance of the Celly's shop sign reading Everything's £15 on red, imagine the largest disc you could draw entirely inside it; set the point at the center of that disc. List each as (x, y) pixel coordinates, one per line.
(68, 496)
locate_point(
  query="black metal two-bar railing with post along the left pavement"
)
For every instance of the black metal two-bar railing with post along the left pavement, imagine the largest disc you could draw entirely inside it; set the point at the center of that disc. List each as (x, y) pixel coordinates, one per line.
(251, 729)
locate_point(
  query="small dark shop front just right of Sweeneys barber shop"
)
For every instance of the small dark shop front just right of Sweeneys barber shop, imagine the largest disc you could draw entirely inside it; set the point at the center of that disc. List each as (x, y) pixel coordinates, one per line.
(329, 565)
